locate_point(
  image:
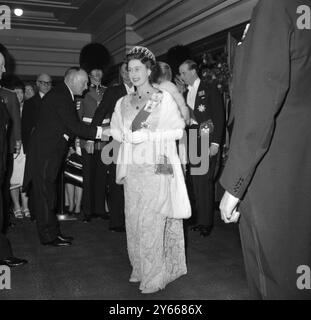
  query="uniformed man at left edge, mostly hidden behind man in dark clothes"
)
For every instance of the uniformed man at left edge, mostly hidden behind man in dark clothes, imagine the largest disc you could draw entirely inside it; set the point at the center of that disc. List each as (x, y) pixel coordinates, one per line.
(14, 142)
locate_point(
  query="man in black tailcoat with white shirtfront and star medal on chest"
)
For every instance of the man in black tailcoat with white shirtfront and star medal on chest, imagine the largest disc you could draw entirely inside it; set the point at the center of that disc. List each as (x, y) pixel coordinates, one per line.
(206, 107)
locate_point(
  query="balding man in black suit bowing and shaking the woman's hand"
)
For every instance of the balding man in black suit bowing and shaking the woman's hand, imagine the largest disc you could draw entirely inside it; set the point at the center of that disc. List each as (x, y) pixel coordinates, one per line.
(57, 123)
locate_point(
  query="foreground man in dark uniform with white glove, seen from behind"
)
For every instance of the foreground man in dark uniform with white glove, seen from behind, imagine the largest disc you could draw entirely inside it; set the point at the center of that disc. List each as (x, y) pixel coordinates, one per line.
(268, 168)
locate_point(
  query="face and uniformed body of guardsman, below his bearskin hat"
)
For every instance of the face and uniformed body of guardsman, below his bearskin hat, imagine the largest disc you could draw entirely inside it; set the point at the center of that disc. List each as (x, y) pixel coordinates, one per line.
(94, 171)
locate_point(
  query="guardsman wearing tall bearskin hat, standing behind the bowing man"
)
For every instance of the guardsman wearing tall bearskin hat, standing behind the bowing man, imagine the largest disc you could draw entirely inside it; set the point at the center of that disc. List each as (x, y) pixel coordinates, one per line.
(93, 59)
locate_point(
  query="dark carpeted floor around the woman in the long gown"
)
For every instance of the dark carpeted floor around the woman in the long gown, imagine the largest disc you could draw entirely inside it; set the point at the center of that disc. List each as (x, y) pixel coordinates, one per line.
(97, 266)
